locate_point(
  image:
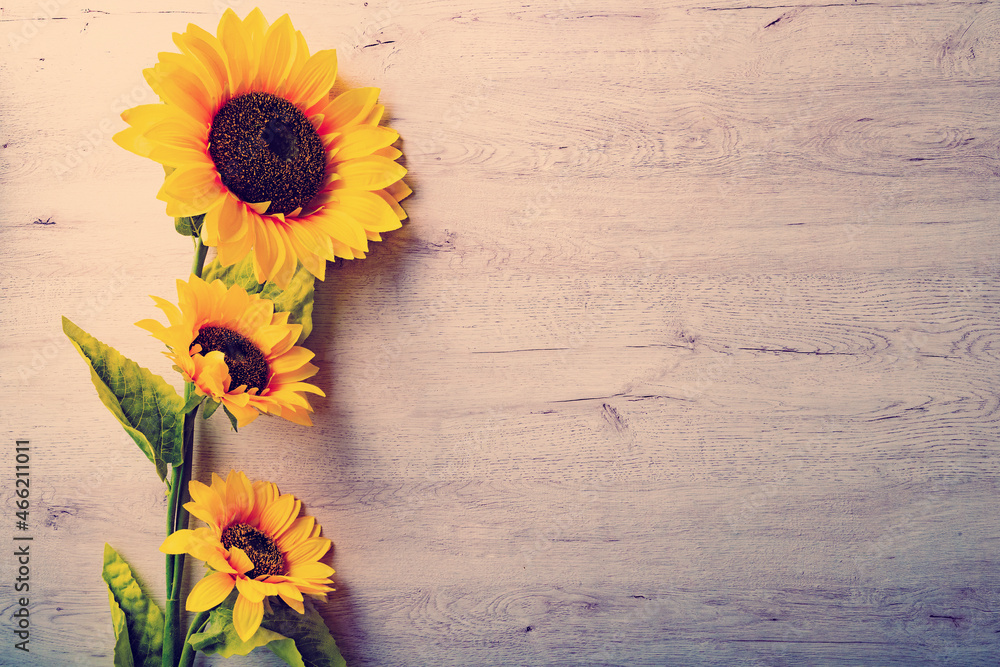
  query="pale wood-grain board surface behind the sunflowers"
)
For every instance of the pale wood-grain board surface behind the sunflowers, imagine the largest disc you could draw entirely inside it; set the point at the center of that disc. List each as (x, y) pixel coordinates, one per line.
(687, 356)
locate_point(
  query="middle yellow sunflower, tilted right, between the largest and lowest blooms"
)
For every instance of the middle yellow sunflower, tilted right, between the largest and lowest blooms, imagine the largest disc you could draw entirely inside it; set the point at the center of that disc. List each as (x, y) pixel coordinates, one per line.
(237, 350)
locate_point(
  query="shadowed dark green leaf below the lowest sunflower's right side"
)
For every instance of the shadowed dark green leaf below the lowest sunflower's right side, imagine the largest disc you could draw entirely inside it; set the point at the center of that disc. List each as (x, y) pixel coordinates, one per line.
(311, 643)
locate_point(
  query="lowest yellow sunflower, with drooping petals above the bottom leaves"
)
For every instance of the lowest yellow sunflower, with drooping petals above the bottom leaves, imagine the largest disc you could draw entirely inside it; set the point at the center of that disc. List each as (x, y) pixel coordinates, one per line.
(256, 542)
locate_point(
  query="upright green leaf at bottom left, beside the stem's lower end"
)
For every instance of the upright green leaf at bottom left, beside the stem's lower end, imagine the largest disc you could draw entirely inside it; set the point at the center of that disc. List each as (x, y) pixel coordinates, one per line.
(143, 619)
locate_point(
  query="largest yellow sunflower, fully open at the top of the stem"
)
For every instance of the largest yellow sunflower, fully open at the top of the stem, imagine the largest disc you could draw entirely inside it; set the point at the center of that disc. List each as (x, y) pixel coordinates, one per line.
(250, 137)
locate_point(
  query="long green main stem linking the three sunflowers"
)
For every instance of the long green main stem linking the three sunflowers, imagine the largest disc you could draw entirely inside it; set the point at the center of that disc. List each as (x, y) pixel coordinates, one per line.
(177, 516)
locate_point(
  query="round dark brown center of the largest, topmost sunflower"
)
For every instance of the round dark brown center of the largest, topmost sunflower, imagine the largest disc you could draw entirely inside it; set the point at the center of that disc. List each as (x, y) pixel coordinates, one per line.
(265, 149)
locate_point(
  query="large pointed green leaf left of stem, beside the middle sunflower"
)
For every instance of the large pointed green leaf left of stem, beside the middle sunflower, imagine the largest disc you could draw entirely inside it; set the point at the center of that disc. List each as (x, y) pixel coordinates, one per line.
(148, 408)
